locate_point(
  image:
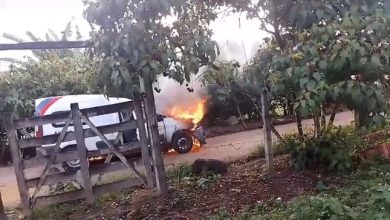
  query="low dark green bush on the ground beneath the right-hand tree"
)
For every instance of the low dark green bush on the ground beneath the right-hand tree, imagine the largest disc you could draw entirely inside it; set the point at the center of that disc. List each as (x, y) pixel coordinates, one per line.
(333, 150)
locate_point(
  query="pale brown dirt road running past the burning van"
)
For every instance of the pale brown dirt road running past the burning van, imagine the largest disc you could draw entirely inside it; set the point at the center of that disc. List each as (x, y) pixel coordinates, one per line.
(225, 147)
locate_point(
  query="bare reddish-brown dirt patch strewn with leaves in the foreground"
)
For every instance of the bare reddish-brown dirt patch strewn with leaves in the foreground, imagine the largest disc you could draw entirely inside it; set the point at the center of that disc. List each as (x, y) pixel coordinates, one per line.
(241, 188)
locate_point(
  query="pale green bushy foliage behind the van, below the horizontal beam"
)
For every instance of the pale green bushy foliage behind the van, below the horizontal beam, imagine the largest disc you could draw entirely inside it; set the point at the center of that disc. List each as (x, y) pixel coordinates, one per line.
(54, 76)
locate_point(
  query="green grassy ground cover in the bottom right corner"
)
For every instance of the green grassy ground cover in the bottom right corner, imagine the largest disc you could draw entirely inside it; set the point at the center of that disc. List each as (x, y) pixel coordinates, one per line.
(366, 195)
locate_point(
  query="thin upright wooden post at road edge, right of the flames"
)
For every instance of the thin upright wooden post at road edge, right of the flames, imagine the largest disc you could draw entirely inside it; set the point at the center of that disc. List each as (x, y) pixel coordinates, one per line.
(267, 129)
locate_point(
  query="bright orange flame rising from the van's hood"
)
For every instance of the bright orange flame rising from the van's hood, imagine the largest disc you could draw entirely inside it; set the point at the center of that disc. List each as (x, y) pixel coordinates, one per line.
(194, 113)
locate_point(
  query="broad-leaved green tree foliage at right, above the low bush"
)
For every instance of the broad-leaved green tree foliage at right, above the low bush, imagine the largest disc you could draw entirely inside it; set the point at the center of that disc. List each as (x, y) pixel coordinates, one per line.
(342, 61)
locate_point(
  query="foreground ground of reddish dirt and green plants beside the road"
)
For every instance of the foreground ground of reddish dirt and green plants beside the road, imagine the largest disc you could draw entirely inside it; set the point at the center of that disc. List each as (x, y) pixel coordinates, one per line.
(316, 189)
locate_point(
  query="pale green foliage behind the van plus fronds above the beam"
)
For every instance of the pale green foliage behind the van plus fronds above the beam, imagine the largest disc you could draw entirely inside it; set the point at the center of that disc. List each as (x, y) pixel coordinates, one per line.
(46, 73)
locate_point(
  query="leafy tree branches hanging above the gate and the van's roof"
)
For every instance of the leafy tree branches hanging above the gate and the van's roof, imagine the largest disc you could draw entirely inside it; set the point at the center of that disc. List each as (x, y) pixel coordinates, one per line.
(138, 37)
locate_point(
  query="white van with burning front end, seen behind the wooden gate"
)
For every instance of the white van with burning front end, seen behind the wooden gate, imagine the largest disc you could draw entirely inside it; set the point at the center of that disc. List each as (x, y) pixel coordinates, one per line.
(173, 133)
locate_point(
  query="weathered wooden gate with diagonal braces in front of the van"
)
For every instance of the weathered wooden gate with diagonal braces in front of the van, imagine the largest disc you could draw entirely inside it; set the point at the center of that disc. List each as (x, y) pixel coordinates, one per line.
(30, 185)
